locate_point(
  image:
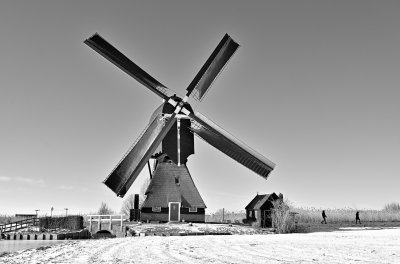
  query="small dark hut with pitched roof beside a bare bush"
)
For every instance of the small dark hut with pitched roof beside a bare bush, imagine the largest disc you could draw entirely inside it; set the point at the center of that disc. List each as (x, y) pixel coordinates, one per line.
(258, 211)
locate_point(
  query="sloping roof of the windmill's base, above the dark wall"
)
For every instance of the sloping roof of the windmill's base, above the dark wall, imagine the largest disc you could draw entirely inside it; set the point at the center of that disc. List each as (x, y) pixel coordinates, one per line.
(172, 183)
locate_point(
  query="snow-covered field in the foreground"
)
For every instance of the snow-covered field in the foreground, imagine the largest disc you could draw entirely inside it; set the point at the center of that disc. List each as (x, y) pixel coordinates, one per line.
(355, 245)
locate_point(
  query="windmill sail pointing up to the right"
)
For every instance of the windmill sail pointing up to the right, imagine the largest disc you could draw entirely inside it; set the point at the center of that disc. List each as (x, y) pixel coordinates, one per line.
(213, 66)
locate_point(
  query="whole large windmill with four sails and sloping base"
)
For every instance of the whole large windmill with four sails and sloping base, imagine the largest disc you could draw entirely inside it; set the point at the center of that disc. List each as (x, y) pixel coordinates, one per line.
(172, 195)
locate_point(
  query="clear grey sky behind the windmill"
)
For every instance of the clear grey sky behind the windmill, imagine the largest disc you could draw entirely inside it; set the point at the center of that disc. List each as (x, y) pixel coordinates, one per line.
(314, 87)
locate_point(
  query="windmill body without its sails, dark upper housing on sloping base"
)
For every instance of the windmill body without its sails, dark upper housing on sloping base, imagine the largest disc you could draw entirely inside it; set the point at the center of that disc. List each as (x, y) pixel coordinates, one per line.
(172, 194)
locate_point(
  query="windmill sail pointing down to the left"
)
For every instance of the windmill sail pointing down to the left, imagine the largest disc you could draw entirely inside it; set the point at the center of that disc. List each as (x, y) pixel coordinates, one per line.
(126, 172)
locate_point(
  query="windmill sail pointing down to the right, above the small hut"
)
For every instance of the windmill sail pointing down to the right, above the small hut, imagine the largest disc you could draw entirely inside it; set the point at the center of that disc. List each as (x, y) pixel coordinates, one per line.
(231, 146)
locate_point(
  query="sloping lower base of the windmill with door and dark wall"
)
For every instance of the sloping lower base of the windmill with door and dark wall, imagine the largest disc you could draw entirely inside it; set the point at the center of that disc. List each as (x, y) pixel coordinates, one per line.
(172, 195)
